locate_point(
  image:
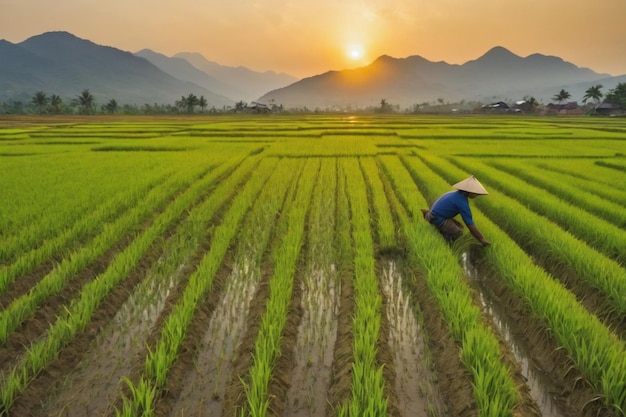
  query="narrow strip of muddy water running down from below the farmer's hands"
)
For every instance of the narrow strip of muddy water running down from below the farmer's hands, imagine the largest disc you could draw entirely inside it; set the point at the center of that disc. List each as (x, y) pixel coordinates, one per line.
(538, 389)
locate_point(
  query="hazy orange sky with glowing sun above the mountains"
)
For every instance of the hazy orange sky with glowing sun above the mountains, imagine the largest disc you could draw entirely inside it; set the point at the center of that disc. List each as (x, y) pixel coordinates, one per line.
(308, 37)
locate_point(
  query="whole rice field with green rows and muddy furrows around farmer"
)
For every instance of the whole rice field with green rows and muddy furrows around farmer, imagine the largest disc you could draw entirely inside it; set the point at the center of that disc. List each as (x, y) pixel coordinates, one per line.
(280, 266)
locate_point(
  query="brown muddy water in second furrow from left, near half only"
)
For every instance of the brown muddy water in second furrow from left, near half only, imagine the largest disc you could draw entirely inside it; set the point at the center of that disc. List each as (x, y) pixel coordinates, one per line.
(205, 386)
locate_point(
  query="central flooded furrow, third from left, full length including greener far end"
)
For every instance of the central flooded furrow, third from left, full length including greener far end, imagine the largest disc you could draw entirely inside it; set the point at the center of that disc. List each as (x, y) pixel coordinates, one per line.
(318, 293)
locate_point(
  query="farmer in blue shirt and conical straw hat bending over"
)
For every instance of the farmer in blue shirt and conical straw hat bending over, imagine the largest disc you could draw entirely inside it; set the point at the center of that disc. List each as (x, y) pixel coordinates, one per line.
(442, 212)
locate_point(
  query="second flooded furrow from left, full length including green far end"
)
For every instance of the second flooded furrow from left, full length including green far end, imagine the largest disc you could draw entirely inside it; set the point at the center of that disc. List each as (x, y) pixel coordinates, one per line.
(207, 386)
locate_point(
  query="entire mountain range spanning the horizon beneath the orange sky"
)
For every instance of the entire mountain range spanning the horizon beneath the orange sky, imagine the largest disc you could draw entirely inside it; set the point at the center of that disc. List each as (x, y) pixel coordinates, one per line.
(62, 63)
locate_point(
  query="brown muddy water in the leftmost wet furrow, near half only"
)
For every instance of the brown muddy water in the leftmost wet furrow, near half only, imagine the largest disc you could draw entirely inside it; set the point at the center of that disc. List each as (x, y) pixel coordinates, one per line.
(94, 385)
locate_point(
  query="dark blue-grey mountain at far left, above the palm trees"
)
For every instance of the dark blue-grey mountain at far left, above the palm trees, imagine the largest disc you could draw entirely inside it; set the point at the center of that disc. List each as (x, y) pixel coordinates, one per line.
(63, 64)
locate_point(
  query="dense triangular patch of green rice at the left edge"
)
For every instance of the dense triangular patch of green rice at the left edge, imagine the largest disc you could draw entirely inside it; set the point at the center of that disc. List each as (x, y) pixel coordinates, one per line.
(40, 208)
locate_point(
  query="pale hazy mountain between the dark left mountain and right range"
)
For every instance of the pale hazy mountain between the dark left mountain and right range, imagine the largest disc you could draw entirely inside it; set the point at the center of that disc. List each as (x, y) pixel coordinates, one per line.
(239, 82)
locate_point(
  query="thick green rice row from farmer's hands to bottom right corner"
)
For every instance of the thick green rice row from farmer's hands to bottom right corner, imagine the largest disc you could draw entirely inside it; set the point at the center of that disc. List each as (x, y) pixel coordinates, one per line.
(597, 352)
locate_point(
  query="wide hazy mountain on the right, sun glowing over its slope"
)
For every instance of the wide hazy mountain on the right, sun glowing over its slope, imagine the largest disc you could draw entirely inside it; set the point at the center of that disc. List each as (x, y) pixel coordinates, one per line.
(499, 74)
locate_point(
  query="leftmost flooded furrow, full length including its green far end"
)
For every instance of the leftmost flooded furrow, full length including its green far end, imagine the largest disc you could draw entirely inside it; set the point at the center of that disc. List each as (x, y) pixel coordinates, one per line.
(94, 386)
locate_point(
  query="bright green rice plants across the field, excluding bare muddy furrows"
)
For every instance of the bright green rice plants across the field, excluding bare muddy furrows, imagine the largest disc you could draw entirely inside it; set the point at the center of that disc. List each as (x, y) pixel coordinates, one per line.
(66, 182)
